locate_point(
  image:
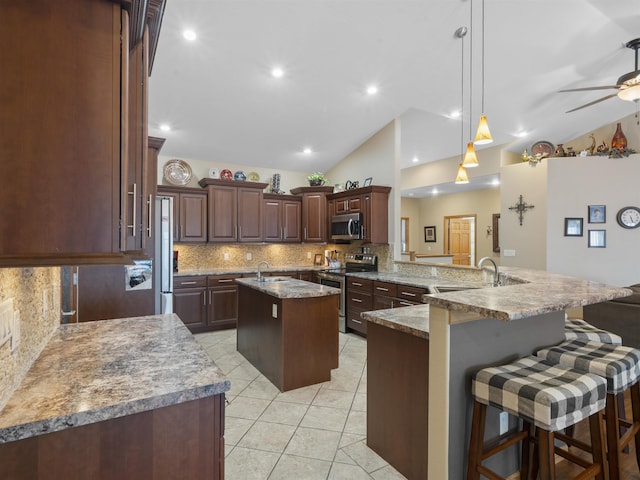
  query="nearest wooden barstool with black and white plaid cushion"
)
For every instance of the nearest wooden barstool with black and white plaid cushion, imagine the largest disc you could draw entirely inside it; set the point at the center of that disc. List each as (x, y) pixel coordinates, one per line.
(547, 398)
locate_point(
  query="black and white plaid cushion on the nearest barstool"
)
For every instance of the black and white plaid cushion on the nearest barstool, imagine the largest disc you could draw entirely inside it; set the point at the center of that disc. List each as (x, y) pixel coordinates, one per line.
(550, 396)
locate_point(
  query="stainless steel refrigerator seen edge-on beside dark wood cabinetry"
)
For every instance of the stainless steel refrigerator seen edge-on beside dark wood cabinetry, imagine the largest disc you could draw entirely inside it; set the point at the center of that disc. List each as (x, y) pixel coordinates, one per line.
(164, 255)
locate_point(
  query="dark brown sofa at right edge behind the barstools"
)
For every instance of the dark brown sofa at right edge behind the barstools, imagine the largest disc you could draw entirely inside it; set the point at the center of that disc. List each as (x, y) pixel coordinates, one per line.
(621, 316)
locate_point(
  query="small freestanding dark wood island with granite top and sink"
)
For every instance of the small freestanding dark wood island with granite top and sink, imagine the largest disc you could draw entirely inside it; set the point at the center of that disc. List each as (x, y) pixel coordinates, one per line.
(288, 329)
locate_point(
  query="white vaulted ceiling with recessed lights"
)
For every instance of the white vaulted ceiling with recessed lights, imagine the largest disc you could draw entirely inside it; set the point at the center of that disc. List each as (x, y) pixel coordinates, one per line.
(223, 105)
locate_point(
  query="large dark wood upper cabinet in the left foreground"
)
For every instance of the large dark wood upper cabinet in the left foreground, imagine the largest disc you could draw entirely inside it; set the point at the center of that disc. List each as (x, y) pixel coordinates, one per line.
(73, 136)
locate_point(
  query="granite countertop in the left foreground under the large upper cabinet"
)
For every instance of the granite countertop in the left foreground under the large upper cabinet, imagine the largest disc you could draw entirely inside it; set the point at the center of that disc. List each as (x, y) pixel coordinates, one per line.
(96, 371)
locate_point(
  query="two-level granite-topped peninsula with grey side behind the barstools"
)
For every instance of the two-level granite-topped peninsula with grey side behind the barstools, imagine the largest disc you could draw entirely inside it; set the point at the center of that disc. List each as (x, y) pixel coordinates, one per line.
(434, 349)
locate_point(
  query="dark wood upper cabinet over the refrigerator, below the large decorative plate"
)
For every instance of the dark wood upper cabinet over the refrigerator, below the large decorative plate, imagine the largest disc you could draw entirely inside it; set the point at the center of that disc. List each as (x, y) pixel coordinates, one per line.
(189, 213)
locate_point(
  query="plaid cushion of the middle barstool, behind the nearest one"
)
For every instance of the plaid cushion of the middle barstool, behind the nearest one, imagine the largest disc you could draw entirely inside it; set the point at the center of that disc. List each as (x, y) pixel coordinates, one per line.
(619, 365)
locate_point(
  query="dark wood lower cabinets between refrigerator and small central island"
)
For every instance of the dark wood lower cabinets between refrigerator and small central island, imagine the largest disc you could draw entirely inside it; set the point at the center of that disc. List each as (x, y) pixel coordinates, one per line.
(206, 303)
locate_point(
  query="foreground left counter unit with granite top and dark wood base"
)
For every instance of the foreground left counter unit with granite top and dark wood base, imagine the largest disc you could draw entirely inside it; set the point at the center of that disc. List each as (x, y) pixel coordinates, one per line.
(128, 398)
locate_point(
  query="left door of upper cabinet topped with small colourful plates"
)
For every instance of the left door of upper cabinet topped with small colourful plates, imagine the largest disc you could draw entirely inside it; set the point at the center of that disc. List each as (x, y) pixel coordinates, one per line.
(223, 214)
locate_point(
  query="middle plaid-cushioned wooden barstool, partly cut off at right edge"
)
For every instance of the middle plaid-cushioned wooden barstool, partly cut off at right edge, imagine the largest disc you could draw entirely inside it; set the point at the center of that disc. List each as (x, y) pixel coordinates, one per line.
(620, 366)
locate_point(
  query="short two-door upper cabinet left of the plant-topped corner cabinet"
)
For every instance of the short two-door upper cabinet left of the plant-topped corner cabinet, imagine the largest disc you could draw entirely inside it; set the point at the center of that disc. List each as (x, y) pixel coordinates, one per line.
(281, 215)
